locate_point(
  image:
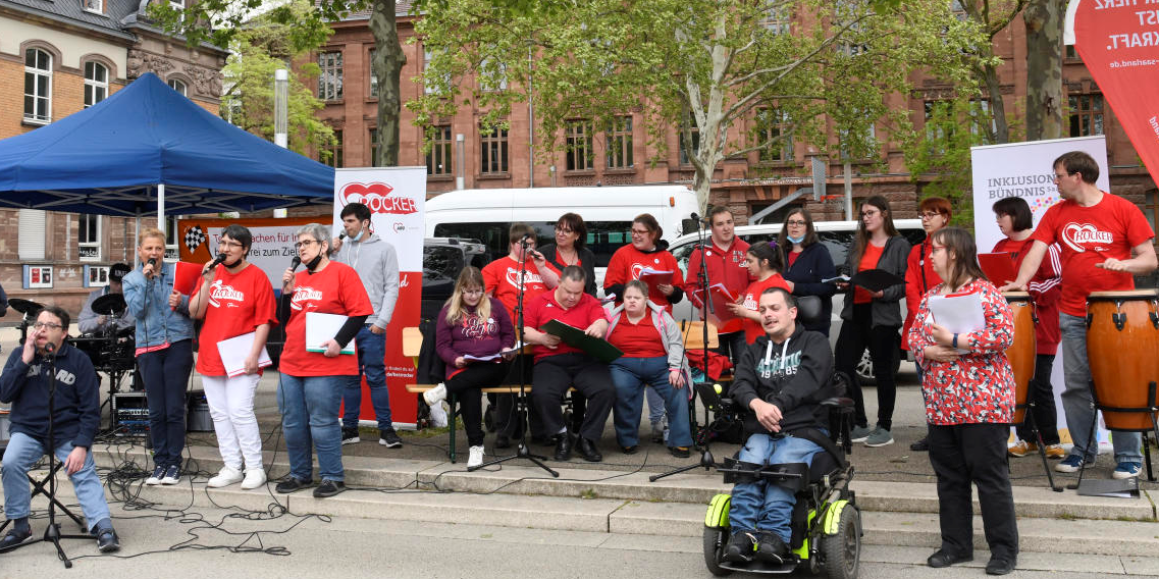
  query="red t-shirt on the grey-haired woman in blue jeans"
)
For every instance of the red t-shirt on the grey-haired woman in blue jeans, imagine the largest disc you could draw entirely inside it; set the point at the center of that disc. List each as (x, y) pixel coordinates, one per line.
(336, 290)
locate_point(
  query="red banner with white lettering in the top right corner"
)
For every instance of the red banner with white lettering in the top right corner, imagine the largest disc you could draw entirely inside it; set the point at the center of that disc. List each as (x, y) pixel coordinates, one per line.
(1119, 42)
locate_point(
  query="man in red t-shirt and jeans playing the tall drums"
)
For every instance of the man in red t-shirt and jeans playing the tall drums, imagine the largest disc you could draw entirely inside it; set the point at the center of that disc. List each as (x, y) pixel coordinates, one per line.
(1098, 233)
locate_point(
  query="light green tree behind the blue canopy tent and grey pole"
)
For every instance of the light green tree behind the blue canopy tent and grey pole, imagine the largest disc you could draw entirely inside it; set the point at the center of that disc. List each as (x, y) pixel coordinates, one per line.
(258, 50)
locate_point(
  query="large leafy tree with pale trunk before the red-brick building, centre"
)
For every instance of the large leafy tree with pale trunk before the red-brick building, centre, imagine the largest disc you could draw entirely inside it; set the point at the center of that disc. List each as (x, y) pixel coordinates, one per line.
(699, 65)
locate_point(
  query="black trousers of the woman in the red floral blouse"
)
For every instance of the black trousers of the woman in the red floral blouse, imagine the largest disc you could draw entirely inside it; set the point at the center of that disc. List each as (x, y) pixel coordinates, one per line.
(974, 453)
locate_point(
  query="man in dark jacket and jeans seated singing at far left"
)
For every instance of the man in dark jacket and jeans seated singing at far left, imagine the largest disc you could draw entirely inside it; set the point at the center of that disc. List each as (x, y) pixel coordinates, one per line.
(76, 417)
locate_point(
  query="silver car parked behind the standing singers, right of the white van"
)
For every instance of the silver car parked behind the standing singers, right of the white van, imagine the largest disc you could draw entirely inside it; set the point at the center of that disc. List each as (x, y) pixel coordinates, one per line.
(837, 237)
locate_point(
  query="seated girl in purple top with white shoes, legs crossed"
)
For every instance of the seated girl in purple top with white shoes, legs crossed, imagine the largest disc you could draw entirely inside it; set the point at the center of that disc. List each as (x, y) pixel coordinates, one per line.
(471, 327)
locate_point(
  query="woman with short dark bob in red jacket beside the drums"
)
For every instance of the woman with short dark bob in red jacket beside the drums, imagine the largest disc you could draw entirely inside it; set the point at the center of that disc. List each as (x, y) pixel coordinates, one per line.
(1017, 224)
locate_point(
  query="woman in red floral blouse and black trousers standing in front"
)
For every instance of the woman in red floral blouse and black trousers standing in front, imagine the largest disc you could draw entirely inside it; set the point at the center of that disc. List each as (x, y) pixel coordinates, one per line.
(968, 387)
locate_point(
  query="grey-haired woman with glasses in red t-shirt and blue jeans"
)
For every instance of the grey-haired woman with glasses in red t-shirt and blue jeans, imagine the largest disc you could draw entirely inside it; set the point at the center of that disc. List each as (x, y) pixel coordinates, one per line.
(315, 375)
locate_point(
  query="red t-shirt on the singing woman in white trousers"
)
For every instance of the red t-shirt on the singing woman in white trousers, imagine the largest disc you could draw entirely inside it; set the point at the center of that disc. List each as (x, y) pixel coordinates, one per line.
(239, 303)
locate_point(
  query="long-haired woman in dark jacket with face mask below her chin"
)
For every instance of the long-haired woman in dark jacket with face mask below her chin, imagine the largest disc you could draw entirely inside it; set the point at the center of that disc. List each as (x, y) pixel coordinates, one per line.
(807, 263)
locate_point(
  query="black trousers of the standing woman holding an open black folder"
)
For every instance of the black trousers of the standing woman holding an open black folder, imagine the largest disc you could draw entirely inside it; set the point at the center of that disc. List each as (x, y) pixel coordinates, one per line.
(856, 336)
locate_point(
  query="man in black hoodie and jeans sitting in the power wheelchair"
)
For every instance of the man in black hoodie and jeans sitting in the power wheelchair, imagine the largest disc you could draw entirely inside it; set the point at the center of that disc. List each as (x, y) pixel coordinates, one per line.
(782, 380)
